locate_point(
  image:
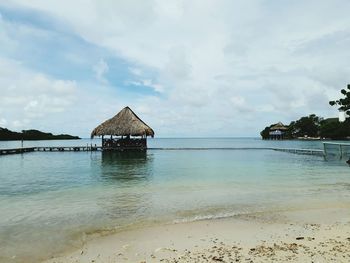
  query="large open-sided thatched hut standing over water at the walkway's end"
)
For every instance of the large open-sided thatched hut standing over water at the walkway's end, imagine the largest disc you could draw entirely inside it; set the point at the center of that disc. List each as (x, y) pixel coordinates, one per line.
(126, 131)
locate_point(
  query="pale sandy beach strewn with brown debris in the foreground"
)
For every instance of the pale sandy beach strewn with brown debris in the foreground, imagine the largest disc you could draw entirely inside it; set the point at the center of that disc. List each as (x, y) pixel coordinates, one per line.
(319, 235)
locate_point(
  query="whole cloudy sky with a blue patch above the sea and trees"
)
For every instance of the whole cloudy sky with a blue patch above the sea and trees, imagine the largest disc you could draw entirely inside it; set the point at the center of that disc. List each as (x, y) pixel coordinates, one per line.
(199, 68)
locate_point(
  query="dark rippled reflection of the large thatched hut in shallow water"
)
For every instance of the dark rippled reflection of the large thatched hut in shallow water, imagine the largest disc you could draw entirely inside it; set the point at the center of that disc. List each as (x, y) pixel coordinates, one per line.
(122, 171)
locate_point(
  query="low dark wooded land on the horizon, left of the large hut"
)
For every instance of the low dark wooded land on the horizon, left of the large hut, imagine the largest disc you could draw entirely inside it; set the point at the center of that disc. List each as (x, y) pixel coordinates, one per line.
(31, 135)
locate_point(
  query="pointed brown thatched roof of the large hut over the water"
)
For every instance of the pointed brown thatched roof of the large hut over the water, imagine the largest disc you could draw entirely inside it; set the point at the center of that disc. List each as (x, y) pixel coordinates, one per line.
(126, 122)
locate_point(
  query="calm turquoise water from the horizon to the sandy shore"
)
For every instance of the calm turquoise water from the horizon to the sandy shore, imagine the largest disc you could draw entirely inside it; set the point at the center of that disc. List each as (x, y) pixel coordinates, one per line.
(53, 201)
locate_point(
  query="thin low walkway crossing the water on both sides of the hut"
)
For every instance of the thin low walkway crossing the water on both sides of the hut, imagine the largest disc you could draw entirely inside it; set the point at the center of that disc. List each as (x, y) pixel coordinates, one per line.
(99, 148)
